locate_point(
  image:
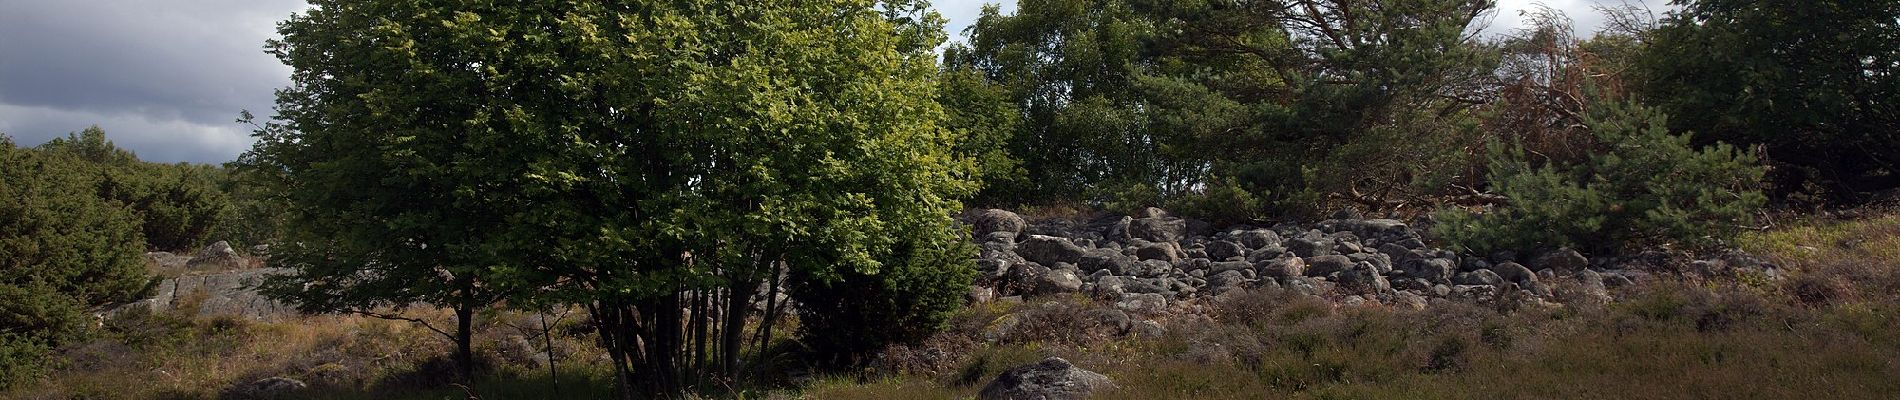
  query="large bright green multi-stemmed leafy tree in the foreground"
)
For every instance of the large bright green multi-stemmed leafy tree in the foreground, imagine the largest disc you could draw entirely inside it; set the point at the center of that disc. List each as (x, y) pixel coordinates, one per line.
(767, 141)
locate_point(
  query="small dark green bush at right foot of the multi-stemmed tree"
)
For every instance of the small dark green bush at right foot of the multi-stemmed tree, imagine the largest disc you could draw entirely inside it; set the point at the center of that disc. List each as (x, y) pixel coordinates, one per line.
(915, 295)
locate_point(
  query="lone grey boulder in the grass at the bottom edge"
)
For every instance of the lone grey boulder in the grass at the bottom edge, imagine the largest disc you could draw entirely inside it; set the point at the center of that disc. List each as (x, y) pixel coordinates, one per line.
(1048, 380)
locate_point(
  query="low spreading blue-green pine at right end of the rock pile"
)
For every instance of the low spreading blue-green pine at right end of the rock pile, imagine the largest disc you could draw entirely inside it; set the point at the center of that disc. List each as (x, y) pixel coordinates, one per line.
(1643, 187)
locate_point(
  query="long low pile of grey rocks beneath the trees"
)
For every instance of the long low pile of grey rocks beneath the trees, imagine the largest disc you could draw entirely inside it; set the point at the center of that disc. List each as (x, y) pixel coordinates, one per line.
(1152, 261)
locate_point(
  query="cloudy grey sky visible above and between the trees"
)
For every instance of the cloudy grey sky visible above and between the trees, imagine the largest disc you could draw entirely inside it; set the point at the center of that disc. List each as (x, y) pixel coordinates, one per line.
(168, 79)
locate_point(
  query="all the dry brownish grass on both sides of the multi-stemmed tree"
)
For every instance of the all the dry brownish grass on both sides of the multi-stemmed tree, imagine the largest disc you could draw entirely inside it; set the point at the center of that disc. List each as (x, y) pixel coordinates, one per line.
(1827, 331)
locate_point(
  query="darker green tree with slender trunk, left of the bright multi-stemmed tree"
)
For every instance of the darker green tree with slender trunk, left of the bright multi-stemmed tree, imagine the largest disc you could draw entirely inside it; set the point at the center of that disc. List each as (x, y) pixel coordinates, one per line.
(390, 151)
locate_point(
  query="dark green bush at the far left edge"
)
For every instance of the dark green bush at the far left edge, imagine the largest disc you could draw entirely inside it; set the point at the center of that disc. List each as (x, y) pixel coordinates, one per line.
(64, 251)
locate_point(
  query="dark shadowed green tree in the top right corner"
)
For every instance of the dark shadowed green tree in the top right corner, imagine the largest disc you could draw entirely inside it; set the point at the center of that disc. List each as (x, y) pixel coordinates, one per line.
(1814, 82)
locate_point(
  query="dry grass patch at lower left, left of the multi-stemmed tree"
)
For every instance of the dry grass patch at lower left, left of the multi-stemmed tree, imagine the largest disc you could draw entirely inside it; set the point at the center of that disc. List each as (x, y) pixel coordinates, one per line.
(172, 355)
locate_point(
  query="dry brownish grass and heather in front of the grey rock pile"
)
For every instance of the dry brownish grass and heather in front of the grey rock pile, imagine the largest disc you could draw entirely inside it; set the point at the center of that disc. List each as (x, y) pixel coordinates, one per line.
(1823, 333)
